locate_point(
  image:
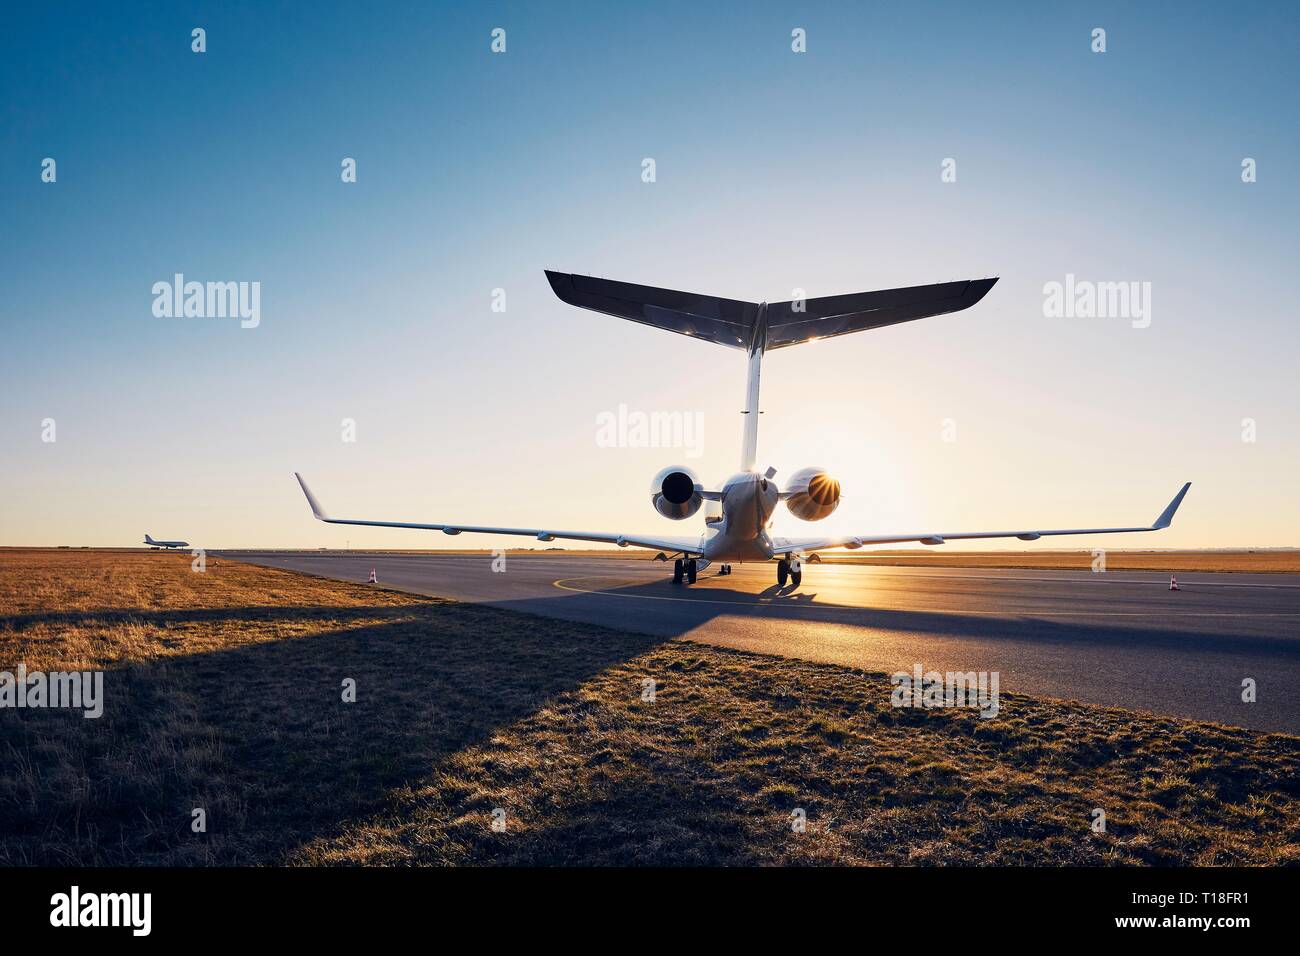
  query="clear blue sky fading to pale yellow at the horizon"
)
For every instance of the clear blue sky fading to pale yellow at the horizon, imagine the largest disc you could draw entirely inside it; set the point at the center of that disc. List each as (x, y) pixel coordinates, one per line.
(777, 171)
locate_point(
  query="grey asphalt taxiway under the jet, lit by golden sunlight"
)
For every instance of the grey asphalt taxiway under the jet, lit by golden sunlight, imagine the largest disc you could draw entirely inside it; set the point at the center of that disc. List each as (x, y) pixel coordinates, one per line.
(1120, 638)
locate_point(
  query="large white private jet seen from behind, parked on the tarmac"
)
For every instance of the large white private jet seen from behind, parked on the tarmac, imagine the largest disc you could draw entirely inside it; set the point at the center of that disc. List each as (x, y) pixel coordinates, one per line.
(749, 499)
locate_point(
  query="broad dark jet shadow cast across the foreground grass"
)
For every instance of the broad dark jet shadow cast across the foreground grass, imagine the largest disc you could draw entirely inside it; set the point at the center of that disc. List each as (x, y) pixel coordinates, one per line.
(259, 738)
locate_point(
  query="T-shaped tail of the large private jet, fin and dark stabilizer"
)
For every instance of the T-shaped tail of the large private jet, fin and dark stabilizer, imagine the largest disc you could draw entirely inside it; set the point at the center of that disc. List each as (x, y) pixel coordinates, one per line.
(762, 327)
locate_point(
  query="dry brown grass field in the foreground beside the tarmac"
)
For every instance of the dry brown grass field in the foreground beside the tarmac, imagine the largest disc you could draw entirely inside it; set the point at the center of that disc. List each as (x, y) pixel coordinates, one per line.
(224, 693)
